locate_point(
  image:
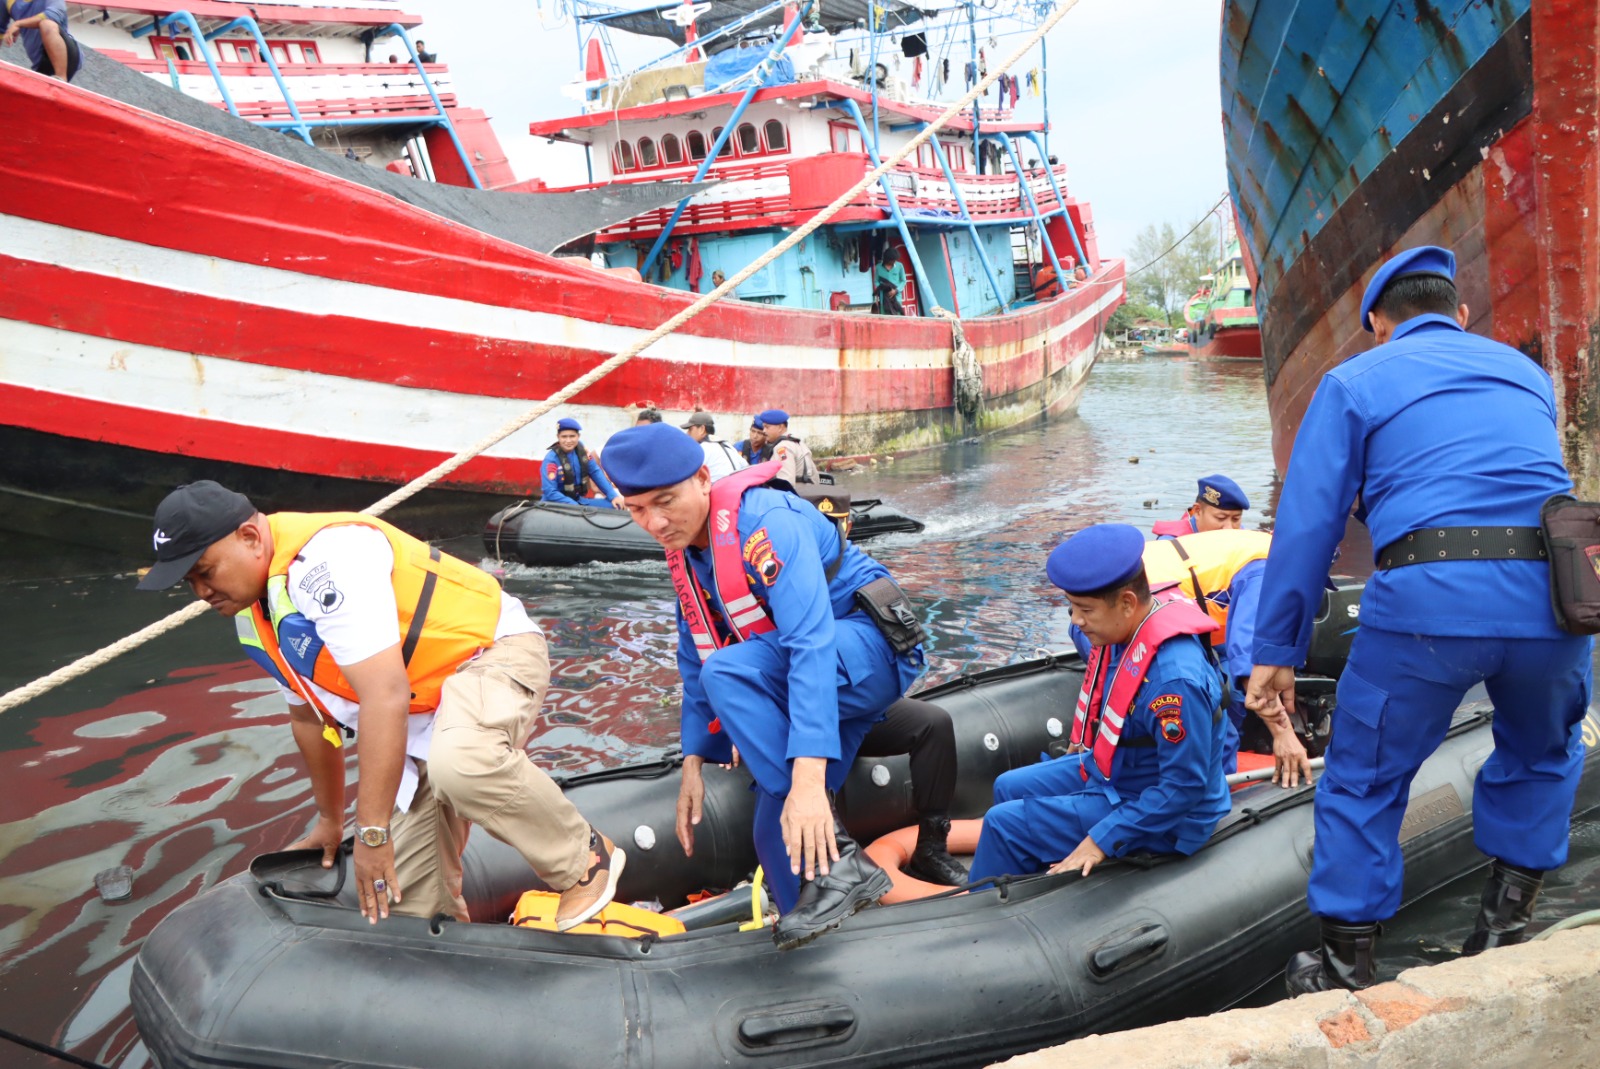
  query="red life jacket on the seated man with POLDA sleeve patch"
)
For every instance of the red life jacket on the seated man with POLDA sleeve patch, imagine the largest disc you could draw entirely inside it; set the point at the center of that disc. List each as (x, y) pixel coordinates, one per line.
(1100, 723)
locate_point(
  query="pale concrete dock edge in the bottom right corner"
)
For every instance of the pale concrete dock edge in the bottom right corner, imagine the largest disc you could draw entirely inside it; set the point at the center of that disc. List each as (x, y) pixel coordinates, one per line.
(1526, 1007)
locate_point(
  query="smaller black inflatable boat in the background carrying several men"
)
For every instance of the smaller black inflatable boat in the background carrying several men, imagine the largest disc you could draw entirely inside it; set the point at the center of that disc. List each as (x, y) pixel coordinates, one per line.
(551, 535)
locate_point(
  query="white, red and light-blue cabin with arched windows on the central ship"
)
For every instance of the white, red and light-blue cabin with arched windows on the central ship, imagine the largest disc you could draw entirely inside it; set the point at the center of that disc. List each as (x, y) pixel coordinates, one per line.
(980, 220)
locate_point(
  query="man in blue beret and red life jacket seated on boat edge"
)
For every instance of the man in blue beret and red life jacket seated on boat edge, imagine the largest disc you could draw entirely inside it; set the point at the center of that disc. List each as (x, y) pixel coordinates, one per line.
(1145, 771)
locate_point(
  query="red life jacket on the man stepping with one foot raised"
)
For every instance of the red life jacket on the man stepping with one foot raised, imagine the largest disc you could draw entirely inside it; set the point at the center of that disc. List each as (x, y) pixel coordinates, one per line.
(742, 612)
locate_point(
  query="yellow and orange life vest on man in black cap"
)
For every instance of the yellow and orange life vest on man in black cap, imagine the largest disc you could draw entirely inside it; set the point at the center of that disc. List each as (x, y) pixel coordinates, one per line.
(447, 612)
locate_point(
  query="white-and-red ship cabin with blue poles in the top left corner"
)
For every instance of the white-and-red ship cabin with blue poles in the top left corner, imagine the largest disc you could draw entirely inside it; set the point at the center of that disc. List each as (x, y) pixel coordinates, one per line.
(348, 76)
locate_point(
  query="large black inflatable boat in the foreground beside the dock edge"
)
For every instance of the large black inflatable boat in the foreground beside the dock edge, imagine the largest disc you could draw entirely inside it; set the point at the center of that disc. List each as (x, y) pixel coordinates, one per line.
(278, 969)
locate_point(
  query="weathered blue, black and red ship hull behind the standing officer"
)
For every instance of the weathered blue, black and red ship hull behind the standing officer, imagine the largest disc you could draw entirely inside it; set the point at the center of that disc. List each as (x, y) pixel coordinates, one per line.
(1356, 130)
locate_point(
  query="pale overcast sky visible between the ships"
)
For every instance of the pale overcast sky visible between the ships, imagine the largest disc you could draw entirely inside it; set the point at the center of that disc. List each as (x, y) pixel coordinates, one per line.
(1134, 98)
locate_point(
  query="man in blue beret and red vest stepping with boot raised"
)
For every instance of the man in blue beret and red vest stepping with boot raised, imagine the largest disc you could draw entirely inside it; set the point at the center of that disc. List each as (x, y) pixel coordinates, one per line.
(778, 659)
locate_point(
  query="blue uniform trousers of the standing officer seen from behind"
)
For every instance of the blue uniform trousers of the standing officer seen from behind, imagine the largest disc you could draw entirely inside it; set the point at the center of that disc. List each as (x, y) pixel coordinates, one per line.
(1396, 702)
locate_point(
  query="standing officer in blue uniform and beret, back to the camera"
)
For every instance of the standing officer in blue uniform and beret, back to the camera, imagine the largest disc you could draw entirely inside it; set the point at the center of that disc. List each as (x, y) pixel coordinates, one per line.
(1442, 438)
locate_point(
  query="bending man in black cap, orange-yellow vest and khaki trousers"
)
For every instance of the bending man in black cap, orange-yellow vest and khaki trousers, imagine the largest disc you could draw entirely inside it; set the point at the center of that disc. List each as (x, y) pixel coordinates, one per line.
(366, 628)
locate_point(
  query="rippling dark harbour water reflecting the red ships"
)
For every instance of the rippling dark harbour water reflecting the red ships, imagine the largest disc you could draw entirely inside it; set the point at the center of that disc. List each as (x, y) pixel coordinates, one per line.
(178, 763)
